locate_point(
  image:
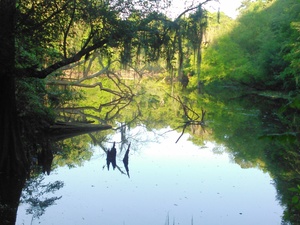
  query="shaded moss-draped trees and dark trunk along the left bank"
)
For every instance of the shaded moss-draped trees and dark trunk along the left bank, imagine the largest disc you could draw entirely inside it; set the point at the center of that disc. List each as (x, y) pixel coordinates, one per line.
(42, 38)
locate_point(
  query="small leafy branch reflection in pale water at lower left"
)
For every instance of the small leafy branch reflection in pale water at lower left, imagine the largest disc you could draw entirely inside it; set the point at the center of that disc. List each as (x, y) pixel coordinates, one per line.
(36, 194)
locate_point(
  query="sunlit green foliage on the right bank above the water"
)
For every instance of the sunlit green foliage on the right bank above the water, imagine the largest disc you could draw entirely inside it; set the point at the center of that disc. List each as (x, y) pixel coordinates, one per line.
(261, 48)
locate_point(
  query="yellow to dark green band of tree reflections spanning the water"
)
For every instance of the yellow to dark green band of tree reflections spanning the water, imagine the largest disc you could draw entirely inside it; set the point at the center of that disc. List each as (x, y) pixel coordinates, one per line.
(236, 124)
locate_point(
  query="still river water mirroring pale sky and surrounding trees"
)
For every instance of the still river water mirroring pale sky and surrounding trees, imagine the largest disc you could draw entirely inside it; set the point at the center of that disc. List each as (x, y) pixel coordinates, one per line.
(215, 172)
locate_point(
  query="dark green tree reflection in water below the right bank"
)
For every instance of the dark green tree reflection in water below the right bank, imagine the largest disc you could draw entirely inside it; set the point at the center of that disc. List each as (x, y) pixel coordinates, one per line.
(256, 136)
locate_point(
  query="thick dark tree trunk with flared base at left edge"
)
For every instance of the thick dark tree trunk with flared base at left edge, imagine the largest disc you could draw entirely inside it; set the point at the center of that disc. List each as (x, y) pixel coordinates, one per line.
(12, 156)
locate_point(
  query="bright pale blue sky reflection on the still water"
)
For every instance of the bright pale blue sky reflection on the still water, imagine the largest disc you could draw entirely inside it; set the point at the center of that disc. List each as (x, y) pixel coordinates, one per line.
(182, 182)
